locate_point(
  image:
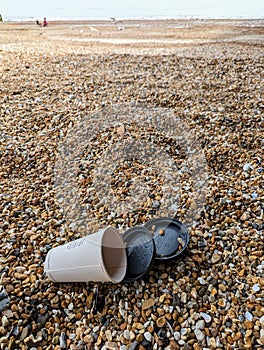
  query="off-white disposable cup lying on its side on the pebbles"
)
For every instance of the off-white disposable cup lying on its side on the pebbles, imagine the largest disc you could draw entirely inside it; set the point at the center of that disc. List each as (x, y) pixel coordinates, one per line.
(99, 257)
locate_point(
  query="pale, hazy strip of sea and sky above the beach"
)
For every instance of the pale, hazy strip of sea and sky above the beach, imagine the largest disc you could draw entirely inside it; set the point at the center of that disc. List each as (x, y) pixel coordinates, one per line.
(131, 8)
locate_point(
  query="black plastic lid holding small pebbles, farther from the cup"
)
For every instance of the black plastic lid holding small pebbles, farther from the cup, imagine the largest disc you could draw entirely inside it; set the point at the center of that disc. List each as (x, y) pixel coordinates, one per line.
(170, 236)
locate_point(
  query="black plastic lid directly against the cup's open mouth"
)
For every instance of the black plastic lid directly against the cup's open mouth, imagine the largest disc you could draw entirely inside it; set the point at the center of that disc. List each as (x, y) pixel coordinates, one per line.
(140, 250)
